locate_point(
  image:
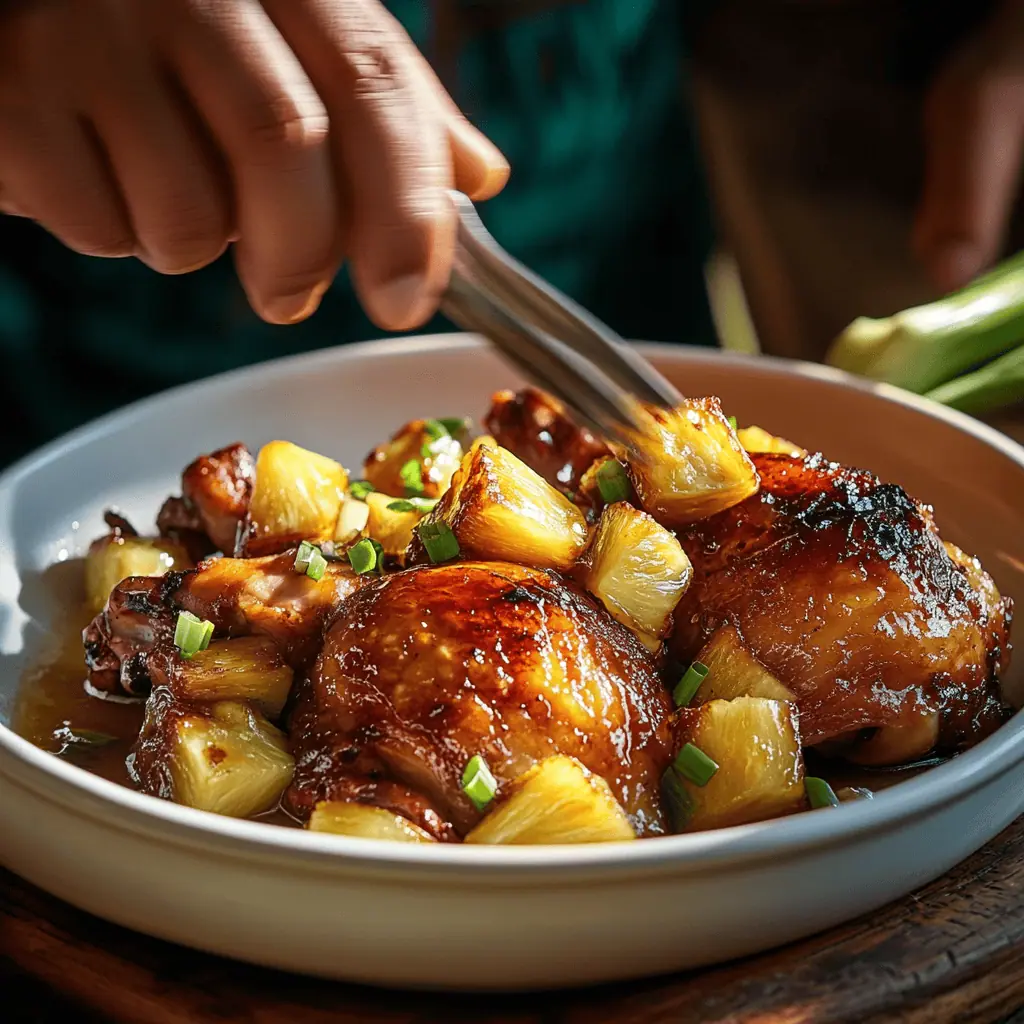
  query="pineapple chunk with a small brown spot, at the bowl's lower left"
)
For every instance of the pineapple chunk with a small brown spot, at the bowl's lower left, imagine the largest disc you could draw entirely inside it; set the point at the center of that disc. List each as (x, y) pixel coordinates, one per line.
(231, 762)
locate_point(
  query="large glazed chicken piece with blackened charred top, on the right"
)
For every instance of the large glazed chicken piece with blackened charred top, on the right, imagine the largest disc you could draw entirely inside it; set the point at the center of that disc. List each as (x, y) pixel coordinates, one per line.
(841, 586)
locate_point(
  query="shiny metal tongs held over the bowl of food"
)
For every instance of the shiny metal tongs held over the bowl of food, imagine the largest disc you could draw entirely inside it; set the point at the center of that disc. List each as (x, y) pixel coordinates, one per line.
(553, 342)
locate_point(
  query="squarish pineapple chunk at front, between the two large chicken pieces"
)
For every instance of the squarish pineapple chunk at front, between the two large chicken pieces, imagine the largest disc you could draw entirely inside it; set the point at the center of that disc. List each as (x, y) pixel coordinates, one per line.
(756, 744)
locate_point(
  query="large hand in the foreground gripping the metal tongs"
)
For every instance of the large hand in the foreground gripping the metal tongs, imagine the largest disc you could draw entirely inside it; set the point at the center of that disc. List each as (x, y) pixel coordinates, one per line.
(305, 132)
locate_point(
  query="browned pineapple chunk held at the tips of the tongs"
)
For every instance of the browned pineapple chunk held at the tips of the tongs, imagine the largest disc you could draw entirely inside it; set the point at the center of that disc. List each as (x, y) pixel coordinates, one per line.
(690, 465)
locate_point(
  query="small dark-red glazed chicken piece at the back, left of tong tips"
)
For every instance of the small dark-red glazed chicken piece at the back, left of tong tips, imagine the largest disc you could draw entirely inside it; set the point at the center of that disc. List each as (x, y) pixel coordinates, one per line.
(536, 429)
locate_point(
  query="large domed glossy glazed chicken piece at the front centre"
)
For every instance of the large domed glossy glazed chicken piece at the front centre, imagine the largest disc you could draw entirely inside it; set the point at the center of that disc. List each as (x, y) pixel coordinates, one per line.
(425, 669)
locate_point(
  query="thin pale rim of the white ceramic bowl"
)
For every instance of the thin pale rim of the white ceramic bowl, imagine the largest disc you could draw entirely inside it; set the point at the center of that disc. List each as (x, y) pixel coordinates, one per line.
(700, 852)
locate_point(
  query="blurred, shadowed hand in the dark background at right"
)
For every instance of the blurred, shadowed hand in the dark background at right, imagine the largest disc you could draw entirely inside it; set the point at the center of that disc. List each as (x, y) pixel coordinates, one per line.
(974, 136)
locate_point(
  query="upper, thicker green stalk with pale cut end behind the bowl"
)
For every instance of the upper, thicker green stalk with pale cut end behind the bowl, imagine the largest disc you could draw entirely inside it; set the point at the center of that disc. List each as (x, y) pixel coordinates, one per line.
(922, 349)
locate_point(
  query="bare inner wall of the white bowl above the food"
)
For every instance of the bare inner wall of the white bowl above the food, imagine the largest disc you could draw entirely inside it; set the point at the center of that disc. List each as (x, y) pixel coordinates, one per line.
(345, 402)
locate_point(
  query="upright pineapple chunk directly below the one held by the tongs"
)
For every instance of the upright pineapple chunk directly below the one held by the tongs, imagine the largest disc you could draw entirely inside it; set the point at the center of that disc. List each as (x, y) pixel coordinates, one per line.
(637, 570)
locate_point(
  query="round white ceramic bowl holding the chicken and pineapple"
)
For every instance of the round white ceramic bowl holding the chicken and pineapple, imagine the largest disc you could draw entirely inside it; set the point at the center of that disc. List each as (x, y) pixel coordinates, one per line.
(465, 917)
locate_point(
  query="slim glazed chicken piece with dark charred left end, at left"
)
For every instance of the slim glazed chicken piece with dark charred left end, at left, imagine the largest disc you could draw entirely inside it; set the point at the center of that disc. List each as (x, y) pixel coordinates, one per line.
(127, 645)
